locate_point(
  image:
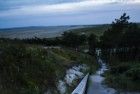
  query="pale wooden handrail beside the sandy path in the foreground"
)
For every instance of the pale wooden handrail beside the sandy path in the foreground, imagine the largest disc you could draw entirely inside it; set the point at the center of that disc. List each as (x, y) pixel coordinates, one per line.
(81, 88)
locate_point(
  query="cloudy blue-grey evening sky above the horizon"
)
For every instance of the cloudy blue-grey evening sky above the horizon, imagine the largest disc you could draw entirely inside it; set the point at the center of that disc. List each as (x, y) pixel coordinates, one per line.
(21, 13)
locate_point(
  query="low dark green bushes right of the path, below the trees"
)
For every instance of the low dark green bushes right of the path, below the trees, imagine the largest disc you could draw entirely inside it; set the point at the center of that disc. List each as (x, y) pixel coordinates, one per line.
(126, 74)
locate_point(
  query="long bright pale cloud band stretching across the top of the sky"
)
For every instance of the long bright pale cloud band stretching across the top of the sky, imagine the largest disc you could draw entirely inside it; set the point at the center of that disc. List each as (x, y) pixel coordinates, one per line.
(62, 7)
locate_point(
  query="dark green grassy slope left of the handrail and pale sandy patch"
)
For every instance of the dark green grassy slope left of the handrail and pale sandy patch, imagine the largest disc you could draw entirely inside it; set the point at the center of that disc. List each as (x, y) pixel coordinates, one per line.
(33, 69)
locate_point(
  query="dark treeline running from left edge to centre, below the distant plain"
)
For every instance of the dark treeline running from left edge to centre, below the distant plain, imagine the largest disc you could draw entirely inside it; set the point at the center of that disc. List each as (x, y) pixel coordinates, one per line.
(68, 39)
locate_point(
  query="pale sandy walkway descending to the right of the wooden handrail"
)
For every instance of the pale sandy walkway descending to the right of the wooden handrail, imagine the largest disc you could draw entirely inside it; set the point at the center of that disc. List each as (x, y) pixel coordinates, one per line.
(95, 82)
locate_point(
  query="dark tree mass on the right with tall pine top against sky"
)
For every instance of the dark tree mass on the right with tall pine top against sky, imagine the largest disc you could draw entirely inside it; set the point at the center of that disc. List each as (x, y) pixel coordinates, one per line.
(122, 39)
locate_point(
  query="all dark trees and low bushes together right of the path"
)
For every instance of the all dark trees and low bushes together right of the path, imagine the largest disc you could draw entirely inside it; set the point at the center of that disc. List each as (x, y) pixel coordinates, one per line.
(121, 49)
